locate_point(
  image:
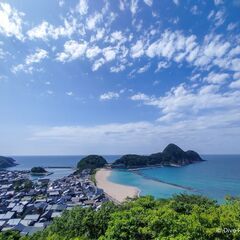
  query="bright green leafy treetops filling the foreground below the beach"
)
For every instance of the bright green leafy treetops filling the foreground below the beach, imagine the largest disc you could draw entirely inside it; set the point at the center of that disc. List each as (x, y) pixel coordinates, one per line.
(183, 217)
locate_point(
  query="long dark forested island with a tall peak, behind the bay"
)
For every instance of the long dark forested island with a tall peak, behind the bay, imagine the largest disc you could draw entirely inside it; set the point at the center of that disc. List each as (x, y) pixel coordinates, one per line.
(172, 154)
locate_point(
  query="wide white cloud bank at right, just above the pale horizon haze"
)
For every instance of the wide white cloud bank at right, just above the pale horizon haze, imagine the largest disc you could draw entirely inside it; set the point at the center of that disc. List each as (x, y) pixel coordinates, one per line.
(182, 102)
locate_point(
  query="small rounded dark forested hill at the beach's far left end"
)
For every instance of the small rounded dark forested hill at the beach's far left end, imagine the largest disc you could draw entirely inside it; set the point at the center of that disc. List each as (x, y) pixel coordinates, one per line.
(91, 162)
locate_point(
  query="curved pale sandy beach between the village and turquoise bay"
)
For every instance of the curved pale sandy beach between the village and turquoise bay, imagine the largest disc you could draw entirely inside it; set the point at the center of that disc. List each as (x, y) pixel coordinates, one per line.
(116, 191)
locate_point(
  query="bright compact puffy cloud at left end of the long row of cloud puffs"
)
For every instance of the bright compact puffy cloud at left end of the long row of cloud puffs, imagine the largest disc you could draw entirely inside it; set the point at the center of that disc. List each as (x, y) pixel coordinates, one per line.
(72, 51)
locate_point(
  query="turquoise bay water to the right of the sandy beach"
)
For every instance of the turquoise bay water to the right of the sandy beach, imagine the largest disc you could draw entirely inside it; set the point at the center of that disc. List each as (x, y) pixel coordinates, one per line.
(217, 177)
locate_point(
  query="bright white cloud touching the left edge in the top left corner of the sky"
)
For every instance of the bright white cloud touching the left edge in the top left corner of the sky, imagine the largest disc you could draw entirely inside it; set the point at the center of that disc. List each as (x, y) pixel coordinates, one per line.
(11, 21)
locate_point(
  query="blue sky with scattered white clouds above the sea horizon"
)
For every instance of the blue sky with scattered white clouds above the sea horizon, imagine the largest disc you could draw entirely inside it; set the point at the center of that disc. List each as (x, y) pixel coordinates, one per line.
(114, 77)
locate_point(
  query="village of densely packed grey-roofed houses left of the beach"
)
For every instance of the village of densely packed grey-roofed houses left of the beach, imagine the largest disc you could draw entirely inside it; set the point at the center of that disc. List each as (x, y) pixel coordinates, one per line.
(30, 206)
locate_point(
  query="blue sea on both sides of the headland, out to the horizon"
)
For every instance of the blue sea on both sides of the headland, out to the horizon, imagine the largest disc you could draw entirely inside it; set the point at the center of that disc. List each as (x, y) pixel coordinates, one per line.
(216, 178)
